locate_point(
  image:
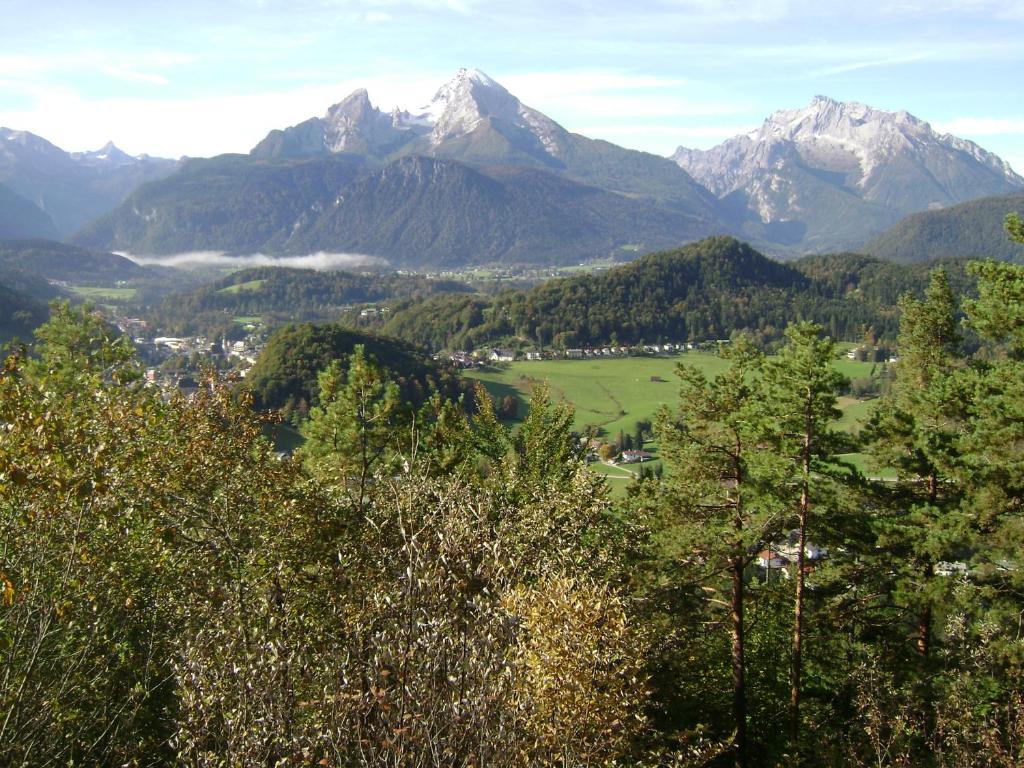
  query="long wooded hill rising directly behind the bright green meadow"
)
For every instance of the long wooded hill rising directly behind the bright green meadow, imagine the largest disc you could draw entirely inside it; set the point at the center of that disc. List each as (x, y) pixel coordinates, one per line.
(704, 291)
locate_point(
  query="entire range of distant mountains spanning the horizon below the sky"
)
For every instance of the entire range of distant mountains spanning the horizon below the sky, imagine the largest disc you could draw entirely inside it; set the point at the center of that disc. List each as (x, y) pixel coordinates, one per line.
(476, 177)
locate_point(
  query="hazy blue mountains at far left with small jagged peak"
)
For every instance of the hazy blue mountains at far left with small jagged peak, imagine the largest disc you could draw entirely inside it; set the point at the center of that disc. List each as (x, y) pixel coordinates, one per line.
(72, 189)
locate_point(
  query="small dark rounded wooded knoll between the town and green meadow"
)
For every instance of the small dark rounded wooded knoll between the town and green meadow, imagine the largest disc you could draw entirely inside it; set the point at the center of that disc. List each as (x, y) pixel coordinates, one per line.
(285, 375)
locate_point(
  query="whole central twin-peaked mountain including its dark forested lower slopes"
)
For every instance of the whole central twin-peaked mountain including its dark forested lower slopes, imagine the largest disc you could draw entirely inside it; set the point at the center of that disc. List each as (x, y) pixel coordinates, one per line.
(475, 178)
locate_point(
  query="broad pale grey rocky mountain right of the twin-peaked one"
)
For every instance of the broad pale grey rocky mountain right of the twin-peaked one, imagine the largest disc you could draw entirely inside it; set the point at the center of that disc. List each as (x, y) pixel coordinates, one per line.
(834, 174)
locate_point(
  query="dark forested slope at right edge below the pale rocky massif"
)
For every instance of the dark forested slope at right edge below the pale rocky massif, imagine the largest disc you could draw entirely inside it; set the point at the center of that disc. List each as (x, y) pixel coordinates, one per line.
(972, 230)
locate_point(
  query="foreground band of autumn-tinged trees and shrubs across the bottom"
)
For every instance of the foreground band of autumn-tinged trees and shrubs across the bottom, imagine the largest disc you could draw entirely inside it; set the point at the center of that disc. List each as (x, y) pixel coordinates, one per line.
(420, 586)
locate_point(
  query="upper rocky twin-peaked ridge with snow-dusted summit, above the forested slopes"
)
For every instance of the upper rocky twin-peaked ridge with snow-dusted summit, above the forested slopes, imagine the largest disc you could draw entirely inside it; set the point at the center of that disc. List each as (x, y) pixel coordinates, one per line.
(476, 120)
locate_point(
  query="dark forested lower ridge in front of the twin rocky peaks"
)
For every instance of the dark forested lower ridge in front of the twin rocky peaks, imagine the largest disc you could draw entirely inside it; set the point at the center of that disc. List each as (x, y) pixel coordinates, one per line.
(414, 212)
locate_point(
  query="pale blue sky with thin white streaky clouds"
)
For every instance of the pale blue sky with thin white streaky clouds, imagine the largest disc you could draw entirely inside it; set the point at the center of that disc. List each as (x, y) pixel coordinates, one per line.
(205, 78)
